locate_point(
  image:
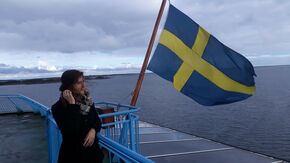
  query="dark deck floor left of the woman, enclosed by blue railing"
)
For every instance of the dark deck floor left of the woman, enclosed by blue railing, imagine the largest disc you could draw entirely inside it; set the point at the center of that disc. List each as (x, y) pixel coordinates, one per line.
(23, 139)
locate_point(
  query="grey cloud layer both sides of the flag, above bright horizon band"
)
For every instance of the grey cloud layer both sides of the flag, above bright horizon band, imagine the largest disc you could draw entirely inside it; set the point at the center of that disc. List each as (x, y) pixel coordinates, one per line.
(250, 26)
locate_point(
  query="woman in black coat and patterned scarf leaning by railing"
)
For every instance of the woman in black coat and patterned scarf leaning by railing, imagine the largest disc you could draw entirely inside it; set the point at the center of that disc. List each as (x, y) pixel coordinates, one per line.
(78, 121)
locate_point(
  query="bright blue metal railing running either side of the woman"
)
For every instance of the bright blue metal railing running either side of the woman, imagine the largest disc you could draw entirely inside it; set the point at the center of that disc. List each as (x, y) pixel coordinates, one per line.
(119, 137)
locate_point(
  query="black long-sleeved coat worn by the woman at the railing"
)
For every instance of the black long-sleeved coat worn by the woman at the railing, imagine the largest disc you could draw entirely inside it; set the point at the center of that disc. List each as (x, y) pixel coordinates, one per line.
(74, 127)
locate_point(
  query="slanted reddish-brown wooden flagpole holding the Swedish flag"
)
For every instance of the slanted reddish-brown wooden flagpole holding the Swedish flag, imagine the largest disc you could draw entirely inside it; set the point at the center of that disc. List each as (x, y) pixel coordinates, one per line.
(148, 52)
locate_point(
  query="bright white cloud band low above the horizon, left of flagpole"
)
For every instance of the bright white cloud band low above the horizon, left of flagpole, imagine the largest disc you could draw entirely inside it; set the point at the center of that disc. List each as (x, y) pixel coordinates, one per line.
(31, 64)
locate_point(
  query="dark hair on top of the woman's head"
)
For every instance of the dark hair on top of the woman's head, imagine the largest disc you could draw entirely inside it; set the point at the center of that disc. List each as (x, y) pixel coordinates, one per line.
(68, 78)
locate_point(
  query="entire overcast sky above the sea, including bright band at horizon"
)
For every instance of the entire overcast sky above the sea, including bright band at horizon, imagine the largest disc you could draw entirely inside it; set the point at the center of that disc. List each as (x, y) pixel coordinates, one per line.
(51, 35)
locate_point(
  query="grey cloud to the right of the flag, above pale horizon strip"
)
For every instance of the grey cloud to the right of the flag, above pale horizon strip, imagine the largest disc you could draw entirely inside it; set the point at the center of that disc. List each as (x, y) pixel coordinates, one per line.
(252, 27)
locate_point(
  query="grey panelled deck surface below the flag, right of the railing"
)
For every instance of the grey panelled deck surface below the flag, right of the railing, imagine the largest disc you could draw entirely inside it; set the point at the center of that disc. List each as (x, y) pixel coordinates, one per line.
(164, 145)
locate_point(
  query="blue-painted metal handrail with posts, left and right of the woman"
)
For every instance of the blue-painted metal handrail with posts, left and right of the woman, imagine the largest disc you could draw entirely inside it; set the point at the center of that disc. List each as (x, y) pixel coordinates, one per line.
(128, 152)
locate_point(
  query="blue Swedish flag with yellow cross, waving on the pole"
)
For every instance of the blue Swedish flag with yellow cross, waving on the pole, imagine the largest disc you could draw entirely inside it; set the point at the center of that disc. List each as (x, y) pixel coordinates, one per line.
(199, 65)
